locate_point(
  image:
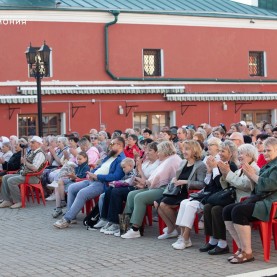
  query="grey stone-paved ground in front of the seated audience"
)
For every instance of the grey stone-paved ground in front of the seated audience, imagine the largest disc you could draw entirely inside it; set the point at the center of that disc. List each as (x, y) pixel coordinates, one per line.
(31, 246)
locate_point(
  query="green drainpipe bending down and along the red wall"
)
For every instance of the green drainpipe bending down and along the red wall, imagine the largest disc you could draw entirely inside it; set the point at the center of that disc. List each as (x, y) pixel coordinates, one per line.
(116, 13)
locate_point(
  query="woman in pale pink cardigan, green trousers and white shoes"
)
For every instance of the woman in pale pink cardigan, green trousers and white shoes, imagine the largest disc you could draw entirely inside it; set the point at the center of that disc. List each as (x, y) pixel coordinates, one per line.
(152, 188)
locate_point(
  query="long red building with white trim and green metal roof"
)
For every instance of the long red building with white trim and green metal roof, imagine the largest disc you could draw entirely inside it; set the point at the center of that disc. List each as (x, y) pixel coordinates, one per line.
(132, 65)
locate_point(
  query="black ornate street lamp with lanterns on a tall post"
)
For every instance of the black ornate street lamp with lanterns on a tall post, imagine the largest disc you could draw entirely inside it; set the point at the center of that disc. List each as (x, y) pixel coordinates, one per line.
(38, 61)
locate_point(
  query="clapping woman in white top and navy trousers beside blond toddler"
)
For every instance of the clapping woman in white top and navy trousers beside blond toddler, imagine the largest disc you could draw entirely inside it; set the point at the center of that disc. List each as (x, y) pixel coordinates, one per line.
(114, 197)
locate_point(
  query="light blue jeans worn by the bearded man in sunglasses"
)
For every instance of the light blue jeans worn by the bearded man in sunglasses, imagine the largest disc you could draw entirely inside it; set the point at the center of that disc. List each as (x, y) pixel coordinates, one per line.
(78, 194)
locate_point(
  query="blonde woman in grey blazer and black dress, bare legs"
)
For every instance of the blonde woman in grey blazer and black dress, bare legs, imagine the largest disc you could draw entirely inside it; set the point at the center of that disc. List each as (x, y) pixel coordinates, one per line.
(190, 175)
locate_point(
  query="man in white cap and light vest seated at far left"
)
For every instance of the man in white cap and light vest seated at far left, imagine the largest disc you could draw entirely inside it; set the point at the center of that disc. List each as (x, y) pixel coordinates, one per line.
(34, 162)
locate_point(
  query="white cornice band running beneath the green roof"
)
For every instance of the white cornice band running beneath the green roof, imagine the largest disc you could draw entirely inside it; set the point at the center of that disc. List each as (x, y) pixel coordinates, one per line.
(134, 18)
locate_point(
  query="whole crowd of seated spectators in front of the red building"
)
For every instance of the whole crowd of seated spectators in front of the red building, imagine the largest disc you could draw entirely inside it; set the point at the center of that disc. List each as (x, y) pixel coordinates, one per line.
(134, 168)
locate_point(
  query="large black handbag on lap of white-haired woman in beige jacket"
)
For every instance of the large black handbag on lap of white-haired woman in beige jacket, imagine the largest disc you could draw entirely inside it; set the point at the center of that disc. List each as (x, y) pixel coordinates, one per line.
(223, 197)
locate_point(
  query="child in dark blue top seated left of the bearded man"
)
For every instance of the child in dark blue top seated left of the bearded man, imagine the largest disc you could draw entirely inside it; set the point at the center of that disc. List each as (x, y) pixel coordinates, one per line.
(66, 178)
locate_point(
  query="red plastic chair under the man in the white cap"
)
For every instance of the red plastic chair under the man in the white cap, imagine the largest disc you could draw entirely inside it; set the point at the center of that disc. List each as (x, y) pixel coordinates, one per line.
(38, 187)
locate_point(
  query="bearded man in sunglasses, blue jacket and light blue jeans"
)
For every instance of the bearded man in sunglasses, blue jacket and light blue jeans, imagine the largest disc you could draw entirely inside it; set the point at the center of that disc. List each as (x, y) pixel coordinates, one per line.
(78, 193)
